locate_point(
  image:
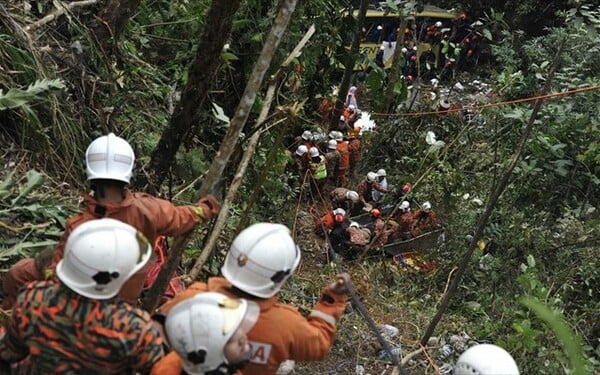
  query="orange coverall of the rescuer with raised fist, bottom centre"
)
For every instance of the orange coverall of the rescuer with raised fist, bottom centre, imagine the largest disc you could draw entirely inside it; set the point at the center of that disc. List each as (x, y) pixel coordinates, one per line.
(281, 332)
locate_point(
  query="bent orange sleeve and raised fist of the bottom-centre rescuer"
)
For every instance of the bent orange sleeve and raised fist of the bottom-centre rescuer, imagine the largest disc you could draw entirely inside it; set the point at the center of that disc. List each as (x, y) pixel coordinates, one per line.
(312, 338)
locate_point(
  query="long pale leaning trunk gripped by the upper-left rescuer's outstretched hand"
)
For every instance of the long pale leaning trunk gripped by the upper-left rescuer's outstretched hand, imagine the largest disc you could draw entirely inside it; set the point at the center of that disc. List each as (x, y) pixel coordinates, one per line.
(227, 146)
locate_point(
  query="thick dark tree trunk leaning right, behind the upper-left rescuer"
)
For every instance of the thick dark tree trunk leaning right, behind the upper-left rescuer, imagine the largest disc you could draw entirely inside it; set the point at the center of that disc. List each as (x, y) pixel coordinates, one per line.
(215, 33)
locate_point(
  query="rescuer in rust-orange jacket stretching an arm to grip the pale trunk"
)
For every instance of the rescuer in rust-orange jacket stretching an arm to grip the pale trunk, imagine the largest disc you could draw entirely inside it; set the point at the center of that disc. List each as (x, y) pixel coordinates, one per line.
(109, 167)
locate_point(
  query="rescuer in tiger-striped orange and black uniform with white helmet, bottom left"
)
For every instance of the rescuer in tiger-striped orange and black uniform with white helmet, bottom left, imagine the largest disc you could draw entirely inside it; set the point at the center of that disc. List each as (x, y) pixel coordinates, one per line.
(73, 324)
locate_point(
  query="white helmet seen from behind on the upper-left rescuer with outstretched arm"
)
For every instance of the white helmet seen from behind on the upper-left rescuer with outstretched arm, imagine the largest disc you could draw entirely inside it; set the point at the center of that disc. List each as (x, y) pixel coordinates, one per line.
(109, 157)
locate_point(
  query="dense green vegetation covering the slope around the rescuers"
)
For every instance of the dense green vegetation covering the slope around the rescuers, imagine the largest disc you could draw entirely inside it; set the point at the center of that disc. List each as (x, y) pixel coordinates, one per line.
(63, 82)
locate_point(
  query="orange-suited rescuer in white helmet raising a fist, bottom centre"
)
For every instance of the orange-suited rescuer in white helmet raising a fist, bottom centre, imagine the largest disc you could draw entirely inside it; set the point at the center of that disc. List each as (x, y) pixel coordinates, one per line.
(261, 258)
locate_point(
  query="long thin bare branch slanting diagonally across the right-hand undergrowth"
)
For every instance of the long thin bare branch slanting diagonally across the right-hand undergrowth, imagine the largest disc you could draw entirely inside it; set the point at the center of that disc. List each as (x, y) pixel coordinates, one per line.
(491, 203)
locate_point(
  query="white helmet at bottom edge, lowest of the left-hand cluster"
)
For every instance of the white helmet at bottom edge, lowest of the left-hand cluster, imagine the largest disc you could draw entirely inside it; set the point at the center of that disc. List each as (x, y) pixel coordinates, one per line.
(199, 328)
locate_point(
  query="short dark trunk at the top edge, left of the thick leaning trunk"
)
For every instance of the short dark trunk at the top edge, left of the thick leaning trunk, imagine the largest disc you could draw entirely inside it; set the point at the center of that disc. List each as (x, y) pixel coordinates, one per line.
(112, 21)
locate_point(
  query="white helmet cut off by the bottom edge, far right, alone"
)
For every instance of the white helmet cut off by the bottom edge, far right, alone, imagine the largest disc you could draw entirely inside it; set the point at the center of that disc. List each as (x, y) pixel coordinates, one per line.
(486, 359)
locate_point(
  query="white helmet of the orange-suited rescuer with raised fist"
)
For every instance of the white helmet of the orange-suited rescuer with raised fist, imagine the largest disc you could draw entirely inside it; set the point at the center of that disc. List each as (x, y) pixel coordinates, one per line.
(261, 258)
